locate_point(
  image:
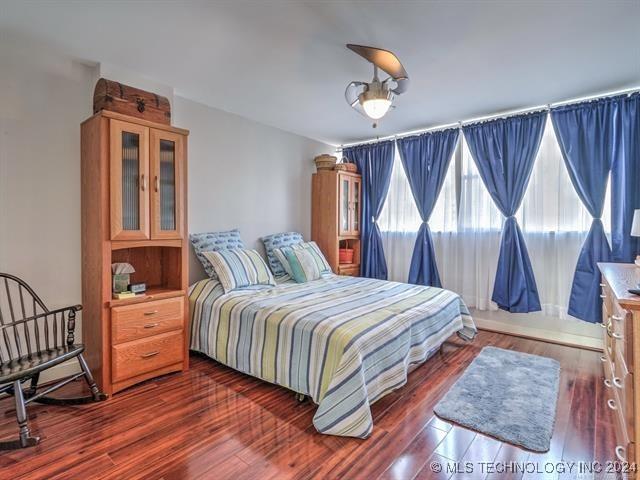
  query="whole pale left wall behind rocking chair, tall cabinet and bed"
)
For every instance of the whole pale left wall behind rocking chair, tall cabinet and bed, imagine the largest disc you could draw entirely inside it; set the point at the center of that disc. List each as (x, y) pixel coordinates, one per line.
(241, 174)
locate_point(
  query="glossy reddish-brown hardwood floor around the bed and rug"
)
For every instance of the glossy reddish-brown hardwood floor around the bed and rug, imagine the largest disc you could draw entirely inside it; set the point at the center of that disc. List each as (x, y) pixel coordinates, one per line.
(213, 422)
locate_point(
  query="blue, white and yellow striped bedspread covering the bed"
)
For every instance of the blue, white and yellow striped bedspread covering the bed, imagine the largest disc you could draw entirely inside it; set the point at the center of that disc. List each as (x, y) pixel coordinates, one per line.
(343, 341)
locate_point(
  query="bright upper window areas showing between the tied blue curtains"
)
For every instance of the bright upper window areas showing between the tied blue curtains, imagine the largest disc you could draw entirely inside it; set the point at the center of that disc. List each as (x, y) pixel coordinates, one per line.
(550, 203)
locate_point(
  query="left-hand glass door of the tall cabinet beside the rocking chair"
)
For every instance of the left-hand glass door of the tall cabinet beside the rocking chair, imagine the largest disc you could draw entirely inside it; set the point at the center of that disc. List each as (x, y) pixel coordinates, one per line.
(129, 161)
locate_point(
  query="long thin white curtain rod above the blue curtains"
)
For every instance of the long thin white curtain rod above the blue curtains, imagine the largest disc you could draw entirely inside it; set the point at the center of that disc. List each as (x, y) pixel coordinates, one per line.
(505, 114)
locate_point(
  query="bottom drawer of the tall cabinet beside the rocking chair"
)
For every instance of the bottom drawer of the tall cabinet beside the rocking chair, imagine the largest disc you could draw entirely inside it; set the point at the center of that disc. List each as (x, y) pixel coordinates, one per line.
(145, 355)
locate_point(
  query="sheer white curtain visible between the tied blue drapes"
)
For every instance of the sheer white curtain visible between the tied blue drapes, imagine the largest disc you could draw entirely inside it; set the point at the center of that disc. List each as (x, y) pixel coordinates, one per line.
(467, 236)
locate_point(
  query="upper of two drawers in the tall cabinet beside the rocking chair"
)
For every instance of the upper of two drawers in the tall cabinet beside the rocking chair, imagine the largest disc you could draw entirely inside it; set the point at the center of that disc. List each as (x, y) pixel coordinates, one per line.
(143, 320)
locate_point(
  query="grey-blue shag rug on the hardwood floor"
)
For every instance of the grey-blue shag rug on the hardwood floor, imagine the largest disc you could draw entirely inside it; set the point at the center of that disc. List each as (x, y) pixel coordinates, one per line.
(508, 395)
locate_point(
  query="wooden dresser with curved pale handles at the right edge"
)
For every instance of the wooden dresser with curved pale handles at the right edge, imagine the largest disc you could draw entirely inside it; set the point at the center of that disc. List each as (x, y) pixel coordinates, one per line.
(621, 359)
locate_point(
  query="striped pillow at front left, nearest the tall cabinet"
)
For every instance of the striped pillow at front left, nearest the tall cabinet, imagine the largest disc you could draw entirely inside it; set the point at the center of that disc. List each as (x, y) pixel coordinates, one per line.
(238, 268)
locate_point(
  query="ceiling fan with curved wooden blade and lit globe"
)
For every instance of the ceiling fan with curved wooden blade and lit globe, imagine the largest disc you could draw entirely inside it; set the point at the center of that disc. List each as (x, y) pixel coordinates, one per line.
(373, 99)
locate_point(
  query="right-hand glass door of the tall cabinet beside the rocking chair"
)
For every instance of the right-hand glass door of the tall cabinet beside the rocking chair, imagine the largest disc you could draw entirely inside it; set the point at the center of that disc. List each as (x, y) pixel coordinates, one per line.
(166, 173)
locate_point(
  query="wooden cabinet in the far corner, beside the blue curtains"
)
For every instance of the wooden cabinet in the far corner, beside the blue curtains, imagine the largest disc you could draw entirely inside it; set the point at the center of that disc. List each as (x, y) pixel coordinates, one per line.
(335, 217)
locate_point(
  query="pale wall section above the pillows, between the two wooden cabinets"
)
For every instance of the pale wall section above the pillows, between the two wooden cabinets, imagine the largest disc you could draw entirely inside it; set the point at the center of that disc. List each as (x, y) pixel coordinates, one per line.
(245, 175)
